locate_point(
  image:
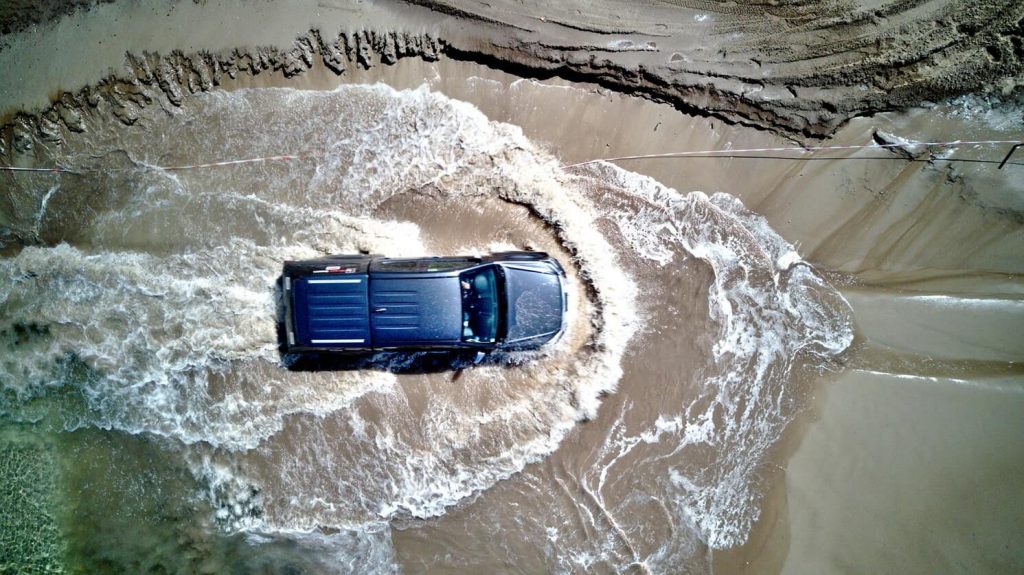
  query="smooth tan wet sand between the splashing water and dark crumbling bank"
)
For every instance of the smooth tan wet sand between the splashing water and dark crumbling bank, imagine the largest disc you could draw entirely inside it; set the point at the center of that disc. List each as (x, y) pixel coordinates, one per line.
(909, 459)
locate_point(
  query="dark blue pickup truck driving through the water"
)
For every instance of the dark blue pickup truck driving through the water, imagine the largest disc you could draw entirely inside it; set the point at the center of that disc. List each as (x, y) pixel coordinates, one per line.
(360, 304)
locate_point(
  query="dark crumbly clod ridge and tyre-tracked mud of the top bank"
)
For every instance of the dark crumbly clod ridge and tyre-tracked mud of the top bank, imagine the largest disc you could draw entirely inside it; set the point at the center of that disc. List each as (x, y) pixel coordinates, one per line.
(862, 63)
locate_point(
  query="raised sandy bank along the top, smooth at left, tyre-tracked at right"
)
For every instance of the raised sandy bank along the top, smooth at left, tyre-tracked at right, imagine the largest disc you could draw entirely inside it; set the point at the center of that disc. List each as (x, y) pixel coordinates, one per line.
(837, 62)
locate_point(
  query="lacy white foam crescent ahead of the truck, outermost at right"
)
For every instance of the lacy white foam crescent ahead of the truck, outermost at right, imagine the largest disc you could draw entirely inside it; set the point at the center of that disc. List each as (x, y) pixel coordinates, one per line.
(770, 307)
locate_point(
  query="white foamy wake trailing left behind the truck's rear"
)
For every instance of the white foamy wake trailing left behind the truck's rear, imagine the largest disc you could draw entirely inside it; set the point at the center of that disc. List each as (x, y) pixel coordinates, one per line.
(157, 334)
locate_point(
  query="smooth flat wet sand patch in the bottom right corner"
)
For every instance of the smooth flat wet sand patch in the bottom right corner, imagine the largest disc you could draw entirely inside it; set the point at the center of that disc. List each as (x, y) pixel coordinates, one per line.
(911, 475)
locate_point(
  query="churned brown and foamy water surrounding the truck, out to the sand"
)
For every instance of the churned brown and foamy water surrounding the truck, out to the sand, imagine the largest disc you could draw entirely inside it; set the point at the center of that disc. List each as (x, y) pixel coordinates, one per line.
(140, 320)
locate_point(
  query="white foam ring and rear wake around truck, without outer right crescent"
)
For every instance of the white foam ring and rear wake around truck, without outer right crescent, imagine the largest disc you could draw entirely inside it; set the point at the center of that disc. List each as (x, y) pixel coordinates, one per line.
(185, 345)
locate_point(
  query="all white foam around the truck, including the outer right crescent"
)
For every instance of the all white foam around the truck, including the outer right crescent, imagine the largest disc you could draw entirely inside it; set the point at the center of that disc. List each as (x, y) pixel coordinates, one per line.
(184, 344)
